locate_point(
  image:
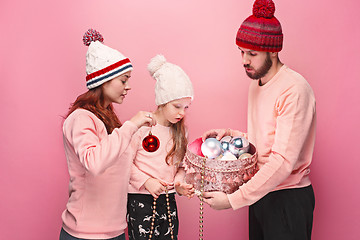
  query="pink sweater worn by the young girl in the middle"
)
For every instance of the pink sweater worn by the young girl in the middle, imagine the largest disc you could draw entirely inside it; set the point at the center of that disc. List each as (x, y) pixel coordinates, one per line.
(147, 164)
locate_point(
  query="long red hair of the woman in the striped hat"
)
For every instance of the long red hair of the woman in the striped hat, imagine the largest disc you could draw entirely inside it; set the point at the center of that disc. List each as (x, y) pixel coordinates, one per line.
(93, 101)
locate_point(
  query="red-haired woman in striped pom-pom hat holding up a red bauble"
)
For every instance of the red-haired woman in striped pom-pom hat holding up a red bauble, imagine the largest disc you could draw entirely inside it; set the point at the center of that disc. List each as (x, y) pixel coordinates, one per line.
(94, 140)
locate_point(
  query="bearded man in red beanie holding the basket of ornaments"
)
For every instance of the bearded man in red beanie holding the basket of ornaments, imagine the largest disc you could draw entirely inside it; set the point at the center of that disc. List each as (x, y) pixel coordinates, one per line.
(281, 125)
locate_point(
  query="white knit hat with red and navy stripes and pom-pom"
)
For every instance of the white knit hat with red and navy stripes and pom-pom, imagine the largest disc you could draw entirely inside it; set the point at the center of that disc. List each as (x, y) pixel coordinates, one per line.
(102, 62)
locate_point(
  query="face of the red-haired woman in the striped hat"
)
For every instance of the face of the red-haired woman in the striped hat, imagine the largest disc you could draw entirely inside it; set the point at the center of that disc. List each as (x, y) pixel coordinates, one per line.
(116, 89)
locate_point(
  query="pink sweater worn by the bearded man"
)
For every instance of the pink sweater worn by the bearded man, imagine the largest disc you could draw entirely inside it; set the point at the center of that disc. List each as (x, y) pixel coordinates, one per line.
(281, 124)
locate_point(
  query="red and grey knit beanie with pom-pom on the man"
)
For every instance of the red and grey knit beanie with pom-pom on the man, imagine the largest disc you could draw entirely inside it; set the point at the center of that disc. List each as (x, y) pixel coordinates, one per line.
(261, 31)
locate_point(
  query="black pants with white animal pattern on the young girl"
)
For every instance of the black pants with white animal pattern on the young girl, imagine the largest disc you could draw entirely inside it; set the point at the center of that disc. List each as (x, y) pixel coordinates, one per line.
(139, 217)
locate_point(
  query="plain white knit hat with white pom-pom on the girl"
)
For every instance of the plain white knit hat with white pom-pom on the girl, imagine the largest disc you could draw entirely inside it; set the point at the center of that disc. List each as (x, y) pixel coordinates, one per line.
(171, 81)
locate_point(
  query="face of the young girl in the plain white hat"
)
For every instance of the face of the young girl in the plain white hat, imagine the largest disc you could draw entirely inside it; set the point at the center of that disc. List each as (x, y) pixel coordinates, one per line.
(174, 111)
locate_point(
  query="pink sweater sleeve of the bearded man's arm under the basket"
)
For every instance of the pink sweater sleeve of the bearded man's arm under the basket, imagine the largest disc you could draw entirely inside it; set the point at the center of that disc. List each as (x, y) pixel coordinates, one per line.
(295, 110)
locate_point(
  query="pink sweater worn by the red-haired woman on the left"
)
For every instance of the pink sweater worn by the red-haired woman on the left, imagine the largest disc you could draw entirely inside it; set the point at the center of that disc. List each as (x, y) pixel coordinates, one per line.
(96, 208)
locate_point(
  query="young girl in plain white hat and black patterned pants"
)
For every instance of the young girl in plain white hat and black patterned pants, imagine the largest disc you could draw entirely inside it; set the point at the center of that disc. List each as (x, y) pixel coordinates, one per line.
(152, 211)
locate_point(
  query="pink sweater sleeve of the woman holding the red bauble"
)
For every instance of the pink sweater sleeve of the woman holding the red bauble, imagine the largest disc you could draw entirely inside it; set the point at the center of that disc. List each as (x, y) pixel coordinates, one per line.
(96, 154)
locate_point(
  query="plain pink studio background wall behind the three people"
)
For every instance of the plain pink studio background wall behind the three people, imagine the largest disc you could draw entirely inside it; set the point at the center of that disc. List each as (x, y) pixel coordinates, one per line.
(42, 69)
